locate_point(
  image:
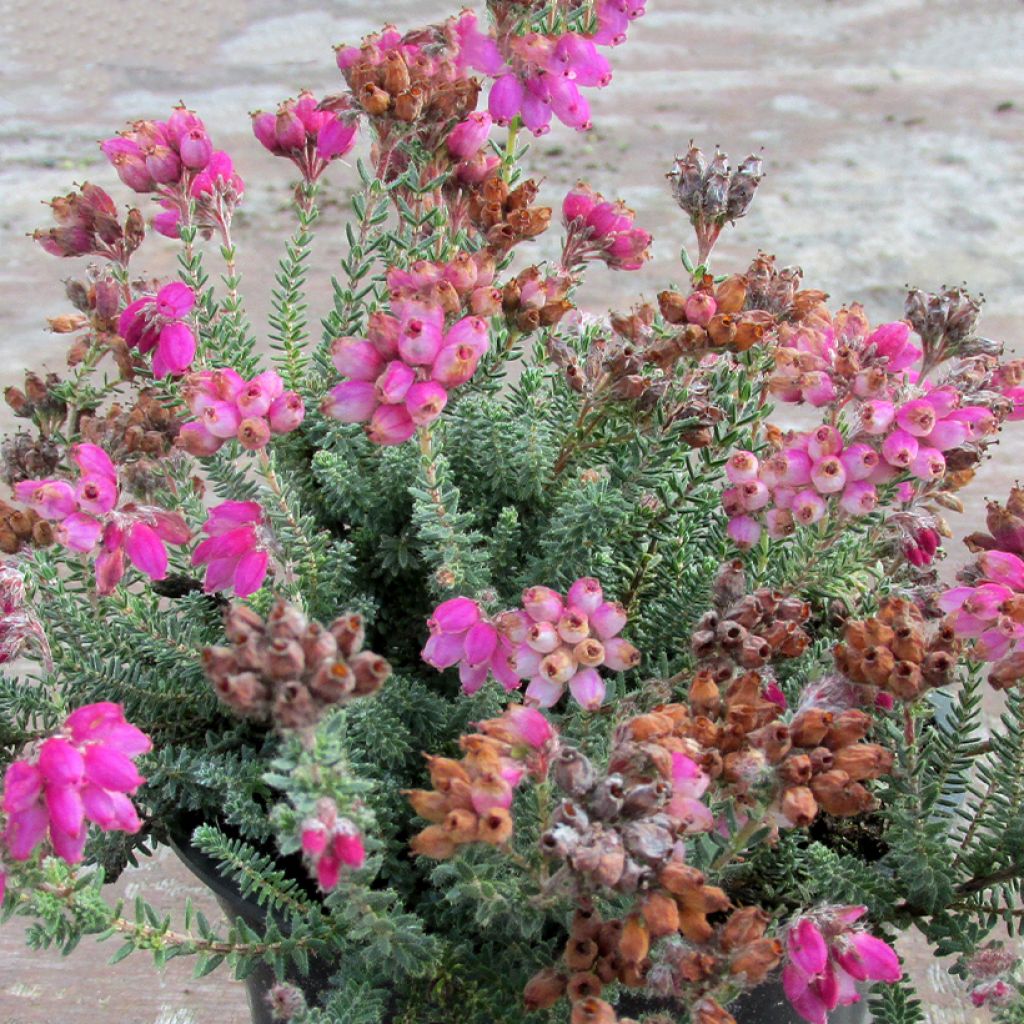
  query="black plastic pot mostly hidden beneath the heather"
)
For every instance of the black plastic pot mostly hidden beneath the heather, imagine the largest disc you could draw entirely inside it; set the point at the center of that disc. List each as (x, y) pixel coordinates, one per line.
(765, 1005)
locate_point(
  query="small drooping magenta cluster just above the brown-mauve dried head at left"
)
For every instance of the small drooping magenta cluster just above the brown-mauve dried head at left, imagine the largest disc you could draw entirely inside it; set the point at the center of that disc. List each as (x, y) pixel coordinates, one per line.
(235, 552)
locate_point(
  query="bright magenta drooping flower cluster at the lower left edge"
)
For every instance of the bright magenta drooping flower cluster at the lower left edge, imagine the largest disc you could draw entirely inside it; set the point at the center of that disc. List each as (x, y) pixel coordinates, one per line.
(87, 774)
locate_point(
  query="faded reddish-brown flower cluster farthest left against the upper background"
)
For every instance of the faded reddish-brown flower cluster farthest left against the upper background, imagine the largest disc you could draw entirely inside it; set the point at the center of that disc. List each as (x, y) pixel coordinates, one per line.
(88, 225)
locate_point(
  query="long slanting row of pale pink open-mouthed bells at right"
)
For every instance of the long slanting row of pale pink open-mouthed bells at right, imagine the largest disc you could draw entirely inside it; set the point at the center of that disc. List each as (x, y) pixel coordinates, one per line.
(794, 486)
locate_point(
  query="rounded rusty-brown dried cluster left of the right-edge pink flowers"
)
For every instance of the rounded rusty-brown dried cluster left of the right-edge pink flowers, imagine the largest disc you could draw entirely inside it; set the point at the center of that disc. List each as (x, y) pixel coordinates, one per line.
(894, 652)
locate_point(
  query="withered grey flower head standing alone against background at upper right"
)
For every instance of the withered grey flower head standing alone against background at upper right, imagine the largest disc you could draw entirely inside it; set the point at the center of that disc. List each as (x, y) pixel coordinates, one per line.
(712, 194)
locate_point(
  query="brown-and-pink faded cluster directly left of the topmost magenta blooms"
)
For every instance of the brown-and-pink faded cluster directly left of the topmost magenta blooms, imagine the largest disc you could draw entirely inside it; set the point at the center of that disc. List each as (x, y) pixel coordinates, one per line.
(408, 79)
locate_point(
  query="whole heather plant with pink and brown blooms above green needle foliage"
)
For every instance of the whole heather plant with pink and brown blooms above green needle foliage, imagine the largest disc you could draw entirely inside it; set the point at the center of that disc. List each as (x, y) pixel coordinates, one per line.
(513, 662)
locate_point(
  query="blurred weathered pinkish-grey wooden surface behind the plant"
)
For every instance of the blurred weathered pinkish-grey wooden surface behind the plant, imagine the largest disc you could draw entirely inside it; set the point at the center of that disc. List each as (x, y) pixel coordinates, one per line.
(893, 138)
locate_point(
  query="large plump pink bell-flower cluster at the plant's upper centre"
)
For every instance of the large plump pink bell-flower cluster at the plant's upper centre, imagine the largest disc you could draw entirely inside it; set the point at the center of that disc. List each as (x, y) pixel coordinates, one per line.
(400, 375)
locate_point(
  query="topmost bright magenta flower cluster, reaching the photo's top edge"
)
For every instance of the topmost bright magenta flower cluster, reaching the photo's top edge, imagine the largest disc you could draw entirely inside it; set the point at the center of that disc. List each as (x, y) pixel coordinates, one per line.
(540, 77)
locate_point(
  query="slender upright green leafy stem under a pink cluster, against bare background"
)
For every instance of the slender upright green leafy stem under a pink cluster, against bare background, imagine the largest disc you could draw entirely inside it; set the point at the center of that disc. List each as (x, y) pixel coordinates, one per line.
(288, 319)
